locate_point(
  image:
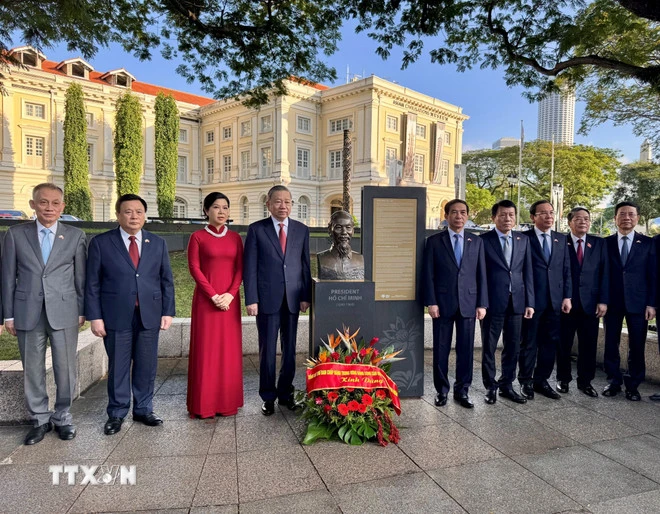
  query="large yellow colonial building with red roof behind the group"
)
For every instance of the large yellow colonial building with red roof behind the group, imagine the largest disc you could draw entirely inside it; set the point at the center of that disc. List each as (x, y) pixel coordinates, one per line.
(398, 137)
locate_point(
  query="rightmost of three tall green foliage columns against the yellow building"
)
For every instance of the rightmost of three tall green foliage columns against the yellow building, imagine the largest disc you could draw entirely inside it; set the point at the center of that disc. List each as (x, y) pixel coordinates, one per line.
(166, 153)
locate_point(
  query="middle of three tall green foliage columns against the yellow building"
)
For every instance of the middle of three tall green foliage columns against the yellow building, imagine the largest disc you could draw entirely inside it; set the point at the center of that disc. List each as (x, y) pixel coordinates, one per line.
(128, 144)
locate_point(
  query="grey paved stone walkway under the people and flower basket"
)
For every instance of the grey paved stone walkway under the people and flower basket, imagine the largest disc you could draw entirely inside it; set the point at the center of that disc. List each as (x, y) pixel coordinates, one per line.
(574, 455)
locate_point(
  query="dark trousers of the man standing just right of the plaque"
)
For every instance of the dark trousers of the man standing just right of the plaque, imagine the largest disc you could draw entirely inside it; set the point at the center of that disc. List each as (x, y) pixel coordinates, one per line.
(443, 327)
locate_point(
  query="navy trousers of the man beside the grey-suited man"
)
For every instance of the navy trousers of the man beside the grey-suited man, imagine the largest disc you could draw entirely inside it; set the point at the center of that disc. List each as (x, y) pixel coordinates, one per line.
(132, 365)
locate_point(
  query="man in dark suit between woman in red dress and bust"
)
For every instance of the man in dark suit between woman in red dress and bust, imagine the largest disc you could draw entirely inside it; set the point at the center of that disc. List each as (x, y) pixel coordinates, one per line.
(278, 285)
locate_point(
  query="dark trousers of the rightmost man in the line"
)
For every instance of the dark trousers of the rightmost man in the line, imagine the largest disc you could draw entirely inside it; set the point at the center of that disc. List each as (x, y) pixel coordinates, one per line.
(637, 329)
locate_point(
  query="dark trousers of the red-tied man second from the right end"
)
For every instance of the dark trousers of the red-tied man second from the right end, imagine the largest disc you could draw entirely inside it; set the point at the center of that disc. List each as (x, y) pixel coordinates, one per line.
(586, 327)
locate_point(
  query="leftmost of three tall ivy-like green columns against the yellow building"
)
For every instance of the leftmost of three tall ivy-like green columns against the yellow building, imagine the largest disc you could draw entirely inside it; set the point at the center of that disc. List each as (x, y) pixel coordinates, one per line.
(77, 196)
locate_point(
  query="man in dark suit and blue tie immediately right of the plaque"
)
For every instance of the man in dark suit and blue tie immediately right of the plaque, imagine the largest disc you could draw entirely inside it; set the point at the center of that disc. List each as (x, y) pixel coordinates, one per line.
(455, 291)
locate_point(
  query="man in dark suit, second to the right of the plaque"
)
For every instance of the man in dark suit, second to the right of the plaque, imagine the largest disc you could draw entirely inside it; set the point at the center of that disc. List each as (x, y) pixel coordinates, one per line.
(510, 297)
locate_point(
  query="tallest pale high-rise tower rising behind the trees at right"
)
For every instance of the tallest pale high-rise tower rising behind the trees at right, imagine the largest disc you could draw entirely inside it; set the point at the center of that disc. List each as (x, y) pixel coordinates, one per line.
(557, 117)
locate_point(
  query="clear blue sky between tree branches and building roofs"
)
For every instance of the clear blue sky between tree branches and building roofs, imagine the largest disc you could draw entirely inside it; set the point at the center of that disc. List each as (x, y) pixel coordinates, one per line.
(495, 110)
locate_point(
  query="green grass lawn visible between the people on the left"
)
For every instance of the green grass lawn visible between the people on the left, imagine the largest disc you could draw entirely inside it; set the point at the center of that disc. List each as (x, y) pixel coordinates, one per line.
(184, 287)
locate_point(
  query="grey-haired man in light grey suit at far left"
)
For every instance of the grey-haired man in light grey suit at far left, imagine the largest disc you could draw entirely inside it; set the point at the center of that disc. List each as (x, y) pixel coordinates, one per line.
(43, 288)
